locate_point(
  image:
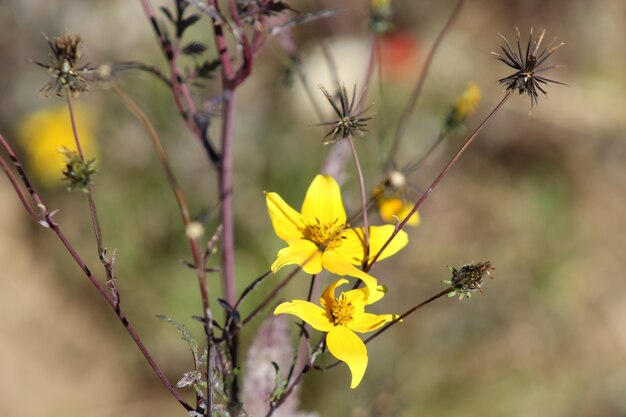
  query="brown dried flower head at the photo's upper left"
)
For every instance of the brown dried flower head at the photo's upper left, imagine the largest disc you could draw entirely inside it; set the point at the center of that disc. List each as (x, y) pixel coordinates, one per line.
(65, 74)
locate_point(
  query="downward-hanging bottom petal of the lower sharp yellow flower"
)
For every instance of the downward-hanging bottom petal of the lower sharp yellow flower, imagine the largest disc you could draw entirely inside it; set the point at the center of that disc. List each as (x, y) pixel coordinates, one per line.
(346, 346)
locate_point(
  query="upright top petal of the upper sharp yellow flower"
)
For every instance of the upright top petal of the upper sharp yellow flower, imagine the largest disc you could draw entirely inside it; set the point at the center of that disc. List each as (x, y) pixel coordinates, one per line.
(323, 201)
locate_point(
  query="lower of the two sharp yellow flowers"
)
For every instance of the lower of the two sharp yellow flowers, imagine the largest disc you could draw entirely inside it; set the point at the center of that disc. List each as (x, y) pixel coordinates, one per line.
(340, 317)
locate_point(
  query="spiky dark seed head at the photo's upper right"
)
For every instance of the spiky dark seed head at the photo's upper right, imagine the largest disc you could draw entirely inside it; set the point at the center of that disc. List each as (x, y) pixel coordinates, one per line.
(526, 63)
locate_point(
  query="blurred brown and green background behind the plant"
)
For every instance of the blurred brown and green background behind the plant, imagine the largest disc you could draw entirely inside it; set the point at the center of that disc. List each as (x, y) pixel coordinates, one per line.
(540, 195)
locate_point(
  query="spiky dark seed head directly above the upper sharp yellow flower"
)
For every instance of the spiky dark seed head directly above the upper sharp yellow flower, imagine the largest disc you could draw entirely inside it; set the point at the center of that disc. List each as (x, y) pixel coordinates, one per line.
(349, 123)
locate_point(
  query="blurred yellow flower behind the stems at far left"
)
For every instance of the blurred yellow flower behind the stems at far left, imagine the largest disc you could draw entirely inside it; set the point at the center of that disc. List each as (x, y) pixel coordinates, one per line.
(44, 132)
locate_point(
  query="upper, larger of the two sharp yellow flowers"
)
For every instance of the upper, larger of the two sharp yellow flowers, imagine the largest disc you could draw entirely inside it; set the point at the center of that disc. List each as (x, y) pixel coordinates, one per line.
(319, 237)
